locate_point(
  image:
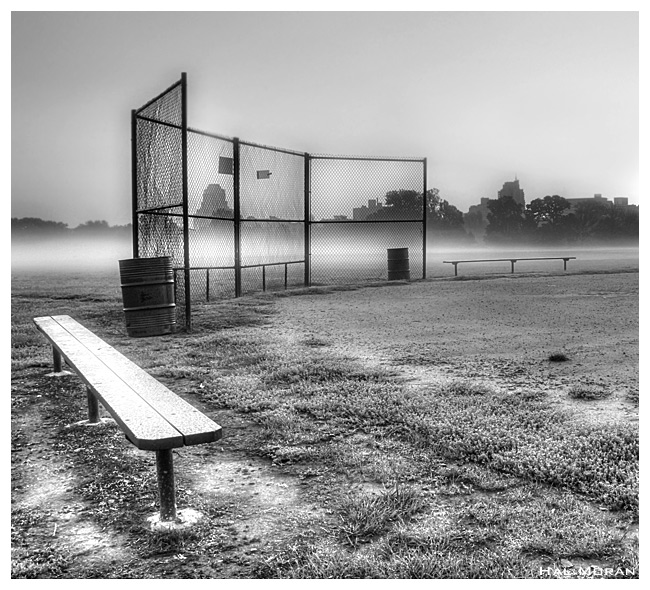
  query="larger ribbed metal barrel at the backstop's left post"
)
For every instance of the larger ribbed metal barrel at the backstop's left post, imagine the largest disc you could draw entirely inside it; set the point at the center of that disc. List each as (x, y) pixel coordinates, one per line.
(148, 296)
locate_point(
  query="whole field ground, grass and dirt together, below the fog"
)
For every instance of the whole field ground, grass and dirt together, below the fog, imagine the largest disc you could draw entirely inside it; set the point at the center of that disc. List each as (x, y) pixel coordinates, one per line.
(341, 457)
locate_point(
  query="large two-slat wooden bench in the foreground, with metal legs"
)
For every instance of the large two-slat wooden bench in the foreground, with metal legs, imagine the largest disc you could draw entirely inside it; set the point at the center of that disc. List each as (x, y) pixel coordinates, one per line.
(152, 417)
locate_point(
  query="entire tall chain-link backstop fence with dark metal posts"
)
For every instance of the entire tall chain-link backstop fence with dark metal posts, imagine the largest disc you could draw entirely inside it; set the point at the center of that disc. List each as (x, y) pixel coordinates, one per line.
(238, 217)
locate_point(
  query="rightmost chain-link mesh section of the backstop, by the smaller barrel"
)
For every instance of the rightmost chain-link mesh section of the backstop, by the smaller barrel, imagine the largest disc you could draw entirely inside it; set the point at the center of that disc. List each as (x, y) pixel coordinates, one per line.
(361, 207)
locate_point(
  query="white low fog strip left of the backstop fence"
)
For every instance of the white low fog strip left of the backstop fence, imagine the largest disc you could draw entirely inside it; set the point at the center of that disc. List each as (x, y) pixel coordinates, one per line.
(69, 253)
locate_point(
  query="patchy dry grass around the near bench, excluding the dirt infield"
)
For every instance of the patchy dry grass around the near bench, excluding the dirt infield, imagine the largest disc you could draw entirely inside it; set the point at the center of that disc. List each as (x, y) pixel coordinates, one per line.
(451, 481)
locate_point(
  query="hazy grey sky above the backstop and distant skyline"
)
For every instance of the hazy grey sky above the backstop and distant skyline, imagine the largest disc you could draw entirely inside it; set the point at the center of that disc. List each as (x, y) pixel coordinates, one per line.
(549, 97)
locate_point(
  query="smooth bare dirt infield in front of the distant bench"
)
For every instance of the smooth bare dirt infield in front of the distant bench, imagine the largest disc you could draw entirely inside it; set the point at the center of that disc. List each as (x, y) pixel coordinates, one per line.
(498, 331)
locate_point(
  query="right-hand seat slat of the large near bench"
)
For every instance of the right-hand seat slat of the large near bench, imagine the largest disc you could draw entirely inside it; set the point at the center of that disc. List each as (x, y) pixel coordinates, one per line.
(195, 427)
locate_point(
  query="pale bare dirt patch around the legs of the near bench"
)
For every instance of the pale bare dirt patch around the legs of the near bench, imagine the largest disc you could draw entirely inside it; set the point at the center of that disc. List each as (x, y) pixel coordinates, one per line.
(252, 503)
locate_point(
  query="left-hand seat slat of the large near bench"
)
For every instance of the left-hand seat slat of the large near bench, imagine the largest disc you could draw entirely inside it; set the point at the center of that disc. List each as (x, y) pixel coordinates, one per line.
(143, 426)
